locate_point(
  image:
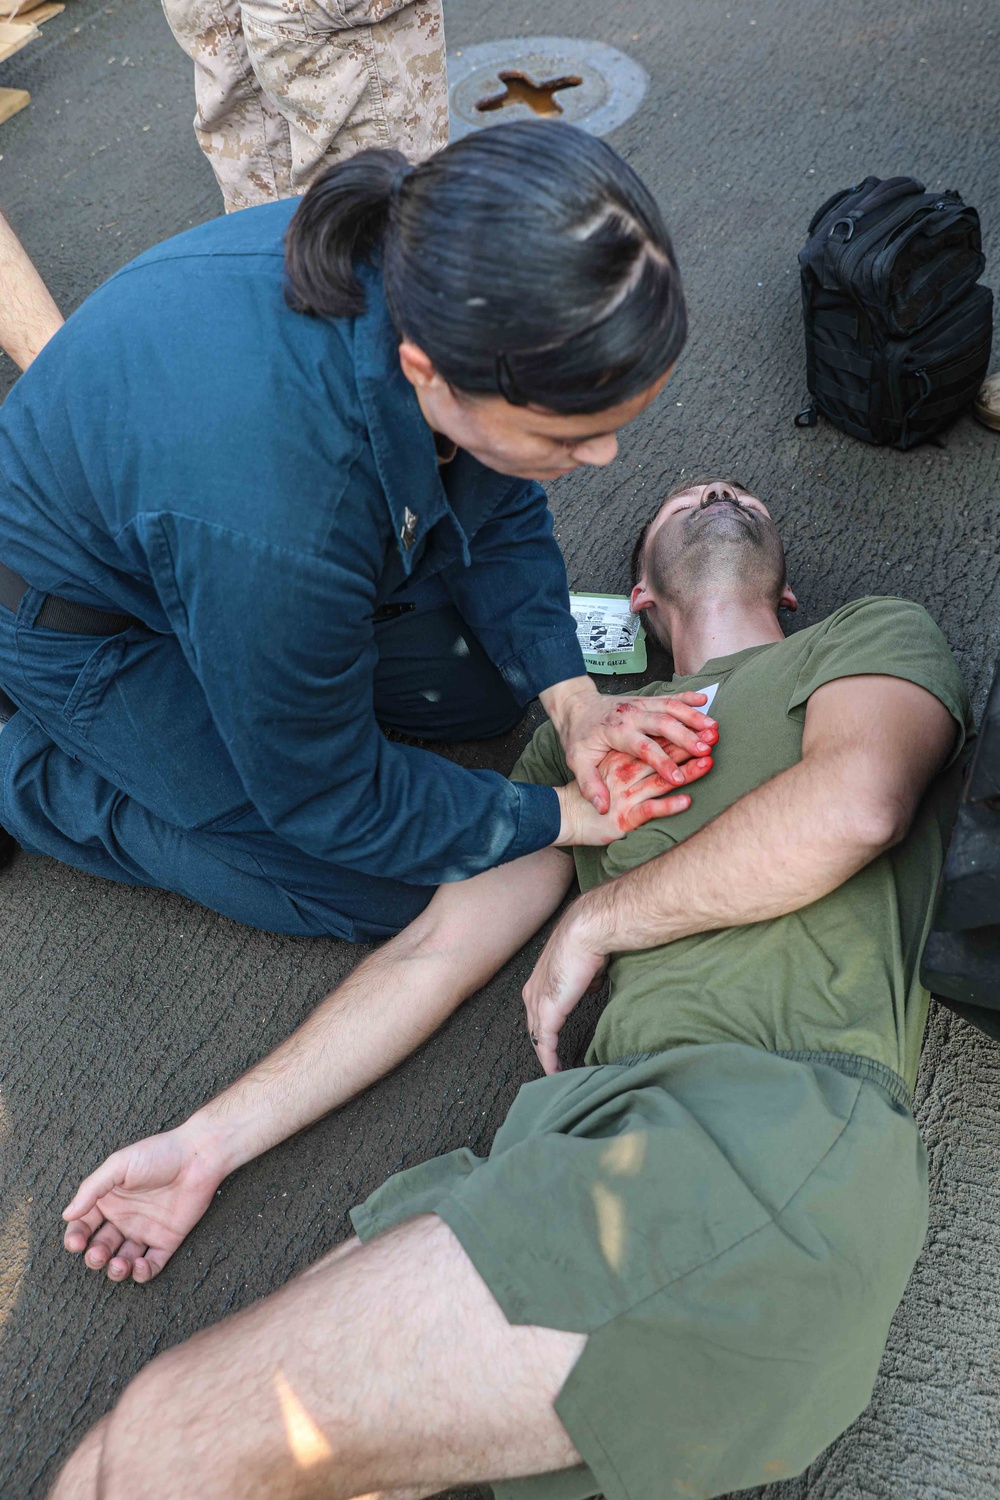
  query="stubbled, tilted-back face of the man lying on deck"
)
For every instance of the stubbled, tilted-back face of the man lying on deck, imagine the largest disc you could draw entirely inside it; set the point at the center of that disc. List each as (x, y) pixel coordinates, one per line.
(710, 547)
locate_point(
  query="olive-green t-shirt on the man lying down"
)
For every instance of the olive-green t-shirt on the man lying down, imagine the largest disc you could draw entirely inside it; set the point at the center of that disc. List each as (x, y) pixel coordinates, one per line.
(842, 974)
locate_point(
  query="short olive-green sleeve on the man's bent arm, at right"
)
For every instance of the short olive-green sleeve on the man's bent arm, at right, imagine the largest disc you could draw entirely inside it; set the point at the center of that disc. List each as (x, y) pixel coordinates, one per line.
(887, 638)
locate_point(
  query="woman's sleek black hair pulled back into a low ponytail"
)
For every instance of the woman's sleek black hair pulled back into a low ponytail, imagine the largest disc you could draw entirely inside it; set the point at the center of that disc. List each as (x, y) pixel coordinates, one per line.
(525, 260)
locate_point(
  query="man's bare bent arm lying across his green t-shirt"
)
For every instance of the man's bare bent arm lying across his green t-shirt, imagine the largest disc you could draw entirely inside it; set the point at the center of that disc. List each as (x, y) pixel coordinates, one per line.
(872, 746)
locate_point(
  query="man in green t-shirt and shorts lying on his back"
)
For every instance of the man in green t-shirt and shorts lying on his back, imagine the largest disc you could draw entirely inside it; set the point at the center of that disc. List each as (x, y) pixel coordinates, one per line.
(675, 1273)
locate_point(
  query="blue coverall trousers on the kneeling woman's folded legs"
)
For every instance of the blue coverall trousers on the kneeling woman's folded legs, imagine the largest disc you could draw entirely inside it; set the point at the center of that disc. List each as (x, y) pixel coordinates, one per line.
(59, 793)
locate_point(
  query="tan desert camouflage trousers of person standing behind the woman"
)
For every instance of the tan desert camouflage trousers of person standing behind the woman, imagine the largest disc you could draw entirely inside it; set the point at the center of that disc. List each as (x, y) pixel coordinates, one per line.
(289, 88)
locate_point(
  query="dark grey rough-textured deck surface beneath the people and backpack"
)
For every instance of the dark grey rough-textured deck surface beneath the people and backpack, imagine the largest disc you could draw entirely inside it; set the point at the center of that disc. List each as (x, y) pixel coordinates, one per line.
(124, 1009)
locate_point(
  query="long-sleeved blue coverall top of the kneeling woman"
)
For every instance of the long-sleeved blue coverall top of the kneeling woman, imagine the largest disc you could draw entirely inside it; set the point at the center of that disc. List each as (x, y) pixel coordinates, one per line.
(191, 452)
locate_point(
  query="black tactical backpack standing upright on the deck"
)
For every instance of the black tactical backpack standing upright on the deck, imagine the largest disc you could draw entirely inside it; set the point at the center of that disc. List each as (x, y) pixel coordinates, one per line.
(897, 332)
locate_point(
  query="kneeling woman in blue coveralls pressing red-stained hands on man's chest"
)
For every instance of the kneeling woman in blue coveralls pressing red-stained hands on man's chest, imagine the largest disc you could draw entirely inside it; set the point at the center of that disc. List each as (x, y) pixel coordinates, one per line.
(275, 487)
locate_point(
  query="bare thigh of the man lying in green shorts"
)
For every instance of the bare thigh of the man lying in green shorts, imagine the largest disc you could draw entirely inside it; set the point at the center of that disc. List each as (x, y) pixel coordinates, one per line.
(383, 1367)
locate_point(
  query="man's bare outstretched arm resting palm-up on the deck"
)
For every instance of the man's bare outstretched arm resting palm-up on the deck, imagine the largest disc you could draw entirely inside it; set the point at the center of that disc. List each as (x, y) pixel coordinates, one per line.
(134, 1211)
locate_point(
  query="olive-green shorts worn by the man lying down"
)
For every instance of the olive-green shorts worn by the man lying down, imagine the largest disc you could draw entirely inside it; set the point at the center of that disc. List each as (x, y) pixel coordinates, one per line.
(734, 1229)
